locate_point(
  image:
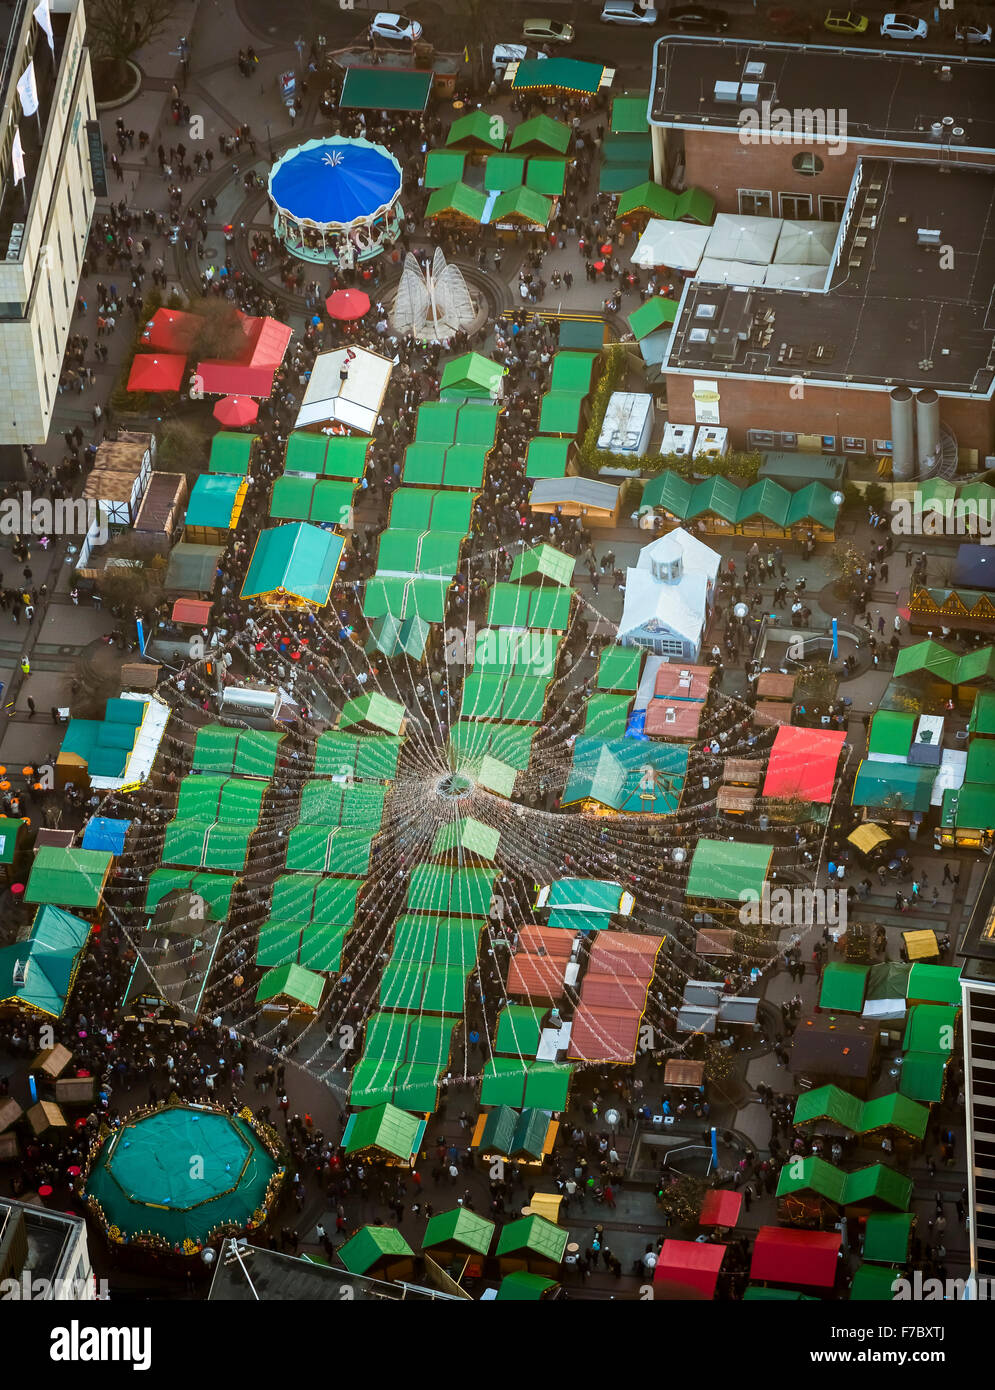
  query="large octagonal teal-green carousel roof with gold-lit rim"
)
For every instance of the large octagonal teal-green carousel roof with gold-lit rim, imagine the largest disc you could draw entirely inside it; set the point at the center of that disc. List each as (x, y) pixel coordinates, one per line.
(142, 1179)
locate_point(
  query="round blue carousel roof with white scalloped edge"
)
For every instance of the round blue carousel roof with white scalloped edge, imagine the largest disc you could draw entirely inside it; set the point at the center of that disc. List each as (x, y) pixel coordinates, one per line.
(336, 181)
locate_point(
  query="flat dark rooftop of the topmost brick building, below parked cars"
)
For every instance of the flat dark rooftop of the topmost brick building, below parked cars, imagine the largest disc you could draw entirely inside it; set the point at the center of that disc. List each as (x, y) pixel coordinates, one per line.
(887, 97)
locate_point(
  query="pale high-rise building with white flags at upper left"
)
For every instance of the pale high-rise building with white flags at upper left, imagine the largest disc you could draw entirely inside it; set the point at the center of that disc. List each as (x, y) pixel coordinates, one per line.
(47, 202)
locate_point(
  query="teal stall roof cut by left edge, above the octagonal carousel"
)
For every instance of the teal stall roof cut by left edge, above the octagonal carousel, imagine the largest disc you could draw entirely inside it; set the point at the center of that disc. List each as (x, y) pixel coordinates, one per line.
(38, 974)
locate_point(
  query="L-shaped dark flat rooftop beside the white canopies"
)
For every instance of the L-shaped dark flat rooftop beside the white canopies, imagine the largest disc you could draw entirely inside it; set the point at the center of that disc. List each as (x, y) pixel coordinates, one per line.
(891, 315)
